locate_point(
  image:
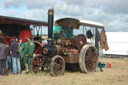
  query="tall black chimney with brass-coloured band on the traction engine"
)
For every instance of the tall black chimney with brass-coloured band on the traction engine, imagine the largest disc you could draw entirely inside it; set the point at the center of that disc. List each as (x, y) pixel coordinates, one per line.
(50, 25)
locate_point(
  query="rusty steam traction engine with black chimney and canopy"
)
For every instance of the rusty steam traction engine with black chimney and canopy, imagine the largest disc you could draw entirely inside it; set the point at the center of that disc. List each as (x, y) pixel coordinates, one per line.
(63, 48)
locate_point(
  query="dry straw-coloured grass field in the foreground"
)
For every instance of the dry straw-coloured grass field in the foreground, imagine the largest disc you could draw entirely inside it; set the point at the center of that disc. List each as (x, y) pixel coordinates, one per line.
(117, 75)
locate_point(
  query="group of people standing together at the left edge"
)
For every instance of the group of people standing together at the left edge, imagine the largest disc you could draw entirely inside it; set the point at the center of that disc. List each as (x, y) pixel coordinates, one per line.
(16, 56)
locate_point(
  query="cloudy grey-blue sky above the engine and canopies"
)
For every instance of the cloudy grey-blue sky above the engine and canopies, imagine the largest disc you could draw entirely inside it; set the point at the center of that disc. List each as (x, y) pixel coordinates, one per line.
(112, 13)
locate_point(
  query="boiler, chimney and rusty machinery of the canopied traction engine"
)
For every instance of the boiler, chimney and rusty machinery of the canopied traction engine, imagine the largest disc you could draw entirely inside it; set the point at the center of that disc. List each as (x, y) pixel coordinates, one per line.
(60, 45)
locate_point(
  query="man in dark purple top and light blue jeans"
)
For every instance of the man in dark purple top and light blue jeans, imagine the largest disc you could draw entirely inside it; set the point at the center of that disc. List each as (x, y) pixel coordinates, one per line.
(15, 56)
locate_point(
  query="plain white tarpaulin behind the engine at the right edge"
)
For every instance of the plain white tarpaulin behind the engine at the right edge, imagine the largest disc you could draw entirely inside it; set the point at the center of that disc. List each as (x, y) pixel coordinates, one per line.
(118, 43)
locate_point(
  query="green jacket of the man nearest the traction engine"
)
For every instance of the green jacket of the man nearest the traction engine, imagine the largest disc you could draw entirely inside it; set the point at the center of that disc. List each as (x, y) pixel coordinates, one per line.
(29, 48)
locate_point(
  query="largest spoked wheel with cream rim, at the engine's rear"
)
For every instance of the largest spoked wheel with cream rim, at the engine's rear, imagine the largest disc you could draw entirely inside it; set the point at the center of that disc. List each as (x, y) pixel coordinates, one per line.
(88, 58)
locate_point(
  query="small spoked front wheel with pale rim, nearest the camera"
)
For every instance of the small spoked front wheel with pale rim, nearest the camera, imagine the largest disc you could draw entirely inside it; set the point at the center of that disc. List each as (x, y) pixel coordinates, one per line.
(57, 66)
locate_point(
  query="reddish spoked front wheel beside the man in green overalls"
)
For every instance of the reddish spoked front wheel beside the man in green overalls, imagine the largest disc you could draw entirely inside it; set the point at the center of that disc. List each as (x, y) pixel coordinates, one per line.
(37, 63)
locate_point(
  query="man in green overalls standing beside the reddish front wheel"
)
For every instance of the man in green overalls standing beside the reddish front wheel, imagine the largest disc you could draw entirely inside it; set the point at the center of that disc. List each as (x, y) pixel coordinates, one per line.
(29, 50)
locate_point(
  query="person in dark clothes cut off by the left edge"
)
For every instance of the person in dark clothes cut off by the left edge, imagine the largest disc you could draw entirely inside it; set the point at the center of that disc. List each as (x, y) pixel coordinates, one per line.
(3, 56)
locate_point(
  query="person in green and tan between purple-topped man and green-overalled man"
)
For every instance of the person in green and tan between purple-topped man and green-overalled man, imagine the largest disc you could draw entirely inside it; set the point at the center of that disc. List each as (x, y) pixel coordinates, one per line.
(21, 49)
